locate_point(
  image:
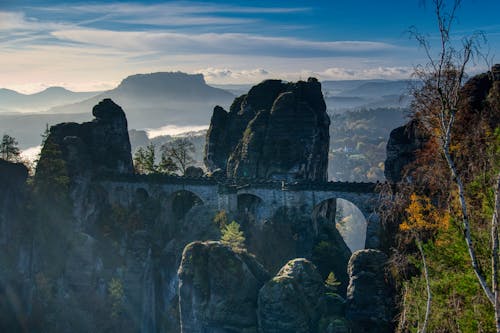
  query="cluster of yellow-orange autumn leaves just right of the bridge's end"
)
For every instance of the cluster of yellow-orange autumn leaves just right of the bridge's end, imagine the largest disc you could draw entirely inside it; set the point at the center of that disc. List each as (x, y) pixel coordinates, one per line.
(422, 215)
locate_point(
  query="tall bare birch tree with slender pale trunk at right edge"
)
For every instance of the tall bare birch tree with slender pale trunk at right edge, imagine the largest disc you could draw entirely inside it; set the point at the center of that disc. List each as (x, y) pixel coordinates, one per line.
(436, 106)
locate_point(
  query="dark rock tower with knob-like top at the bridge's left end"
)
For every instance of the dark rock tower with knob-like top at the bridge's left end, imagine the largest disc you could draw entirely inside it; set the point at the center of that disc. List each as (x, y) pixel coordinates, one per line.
(97, 147)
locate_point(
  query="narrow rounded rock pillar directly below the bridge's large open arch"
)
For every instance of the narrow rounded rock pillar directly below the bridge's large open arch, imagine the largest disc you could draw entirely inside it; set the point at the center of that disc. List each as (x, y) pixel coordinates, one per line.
(369, 298)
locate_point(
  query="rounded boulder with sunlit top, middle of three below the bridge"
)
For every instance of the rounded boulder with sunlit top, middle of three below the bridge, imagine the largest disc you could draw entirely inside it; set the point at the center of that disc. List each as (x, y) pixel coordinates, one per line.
(293, 300)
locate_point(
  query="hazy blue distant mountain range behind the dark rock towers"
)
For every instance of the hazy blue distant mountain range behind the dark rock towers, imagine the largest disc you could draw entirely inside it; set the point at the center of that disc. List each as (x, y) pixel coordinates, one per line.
(168, 98)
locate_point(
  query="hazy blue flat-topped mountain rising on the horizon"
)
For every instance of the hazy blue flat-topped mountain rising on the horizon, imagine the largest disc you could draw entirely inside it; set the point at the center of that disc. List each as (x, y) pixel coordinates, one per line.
(157, 98)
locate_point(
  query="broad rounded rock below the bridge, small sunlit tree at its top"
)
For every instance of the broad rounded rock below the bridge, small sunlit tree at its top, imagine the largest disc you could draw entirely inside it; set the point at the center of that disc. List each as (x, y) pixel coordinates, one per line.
(218, 289)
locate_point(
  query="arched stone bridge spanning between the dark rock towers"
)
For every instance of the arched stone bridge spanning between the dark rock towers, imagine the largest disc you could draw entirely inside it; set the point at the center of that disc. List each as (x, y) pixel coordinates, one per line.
(267, 196)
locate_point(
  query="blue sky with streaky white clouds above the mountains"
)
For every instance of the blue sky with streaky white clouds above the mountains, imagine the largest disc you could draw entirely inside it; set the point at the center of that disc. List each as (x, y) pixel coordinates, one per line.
(93, 45)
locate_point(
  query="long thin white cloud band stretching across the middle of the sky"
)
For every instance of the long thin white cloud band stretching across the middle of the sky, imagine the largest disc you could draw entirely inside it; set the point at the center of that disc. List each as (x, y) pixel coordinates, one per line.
(223, 43)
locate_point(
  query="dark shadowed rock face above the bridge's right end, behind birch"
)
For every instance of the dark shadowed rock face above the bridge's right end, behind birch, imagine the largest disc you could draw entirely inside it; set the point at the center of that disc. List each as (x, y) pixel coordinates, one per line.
(402, 147)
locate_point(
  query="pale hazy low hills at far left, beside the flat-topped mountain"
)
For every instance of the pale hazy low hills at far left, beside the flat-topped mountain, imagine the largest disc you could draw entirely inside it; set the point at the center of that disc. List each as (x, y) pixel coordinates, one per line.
(12, 101)
